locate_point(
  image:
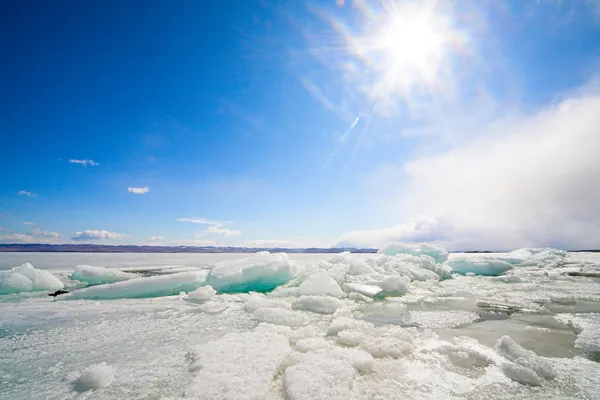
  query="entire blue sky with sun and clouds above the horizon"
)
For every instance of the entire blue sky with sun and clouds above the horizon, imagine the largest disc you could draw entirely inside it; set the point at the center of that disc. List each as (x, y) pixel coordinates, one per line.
(300, 123)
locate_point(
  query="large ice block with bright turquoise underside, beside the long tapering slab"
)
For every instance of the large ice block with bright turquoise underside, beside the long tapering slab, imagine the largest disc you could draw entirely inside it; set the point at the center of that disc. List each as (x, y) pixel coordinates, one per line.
(262, 272)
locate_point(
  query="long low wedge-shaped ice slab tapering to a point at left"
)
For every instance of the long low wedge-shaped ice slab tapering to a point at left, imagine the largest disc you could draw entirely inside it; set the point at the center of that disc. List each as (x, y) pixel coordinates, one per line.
(156, 286)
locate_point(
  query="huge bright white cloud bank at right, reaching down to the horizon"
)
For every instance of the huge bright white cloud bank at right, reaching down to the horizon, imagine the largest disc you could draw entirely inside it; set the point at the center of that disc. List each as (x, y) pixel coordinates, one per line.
(527, 181)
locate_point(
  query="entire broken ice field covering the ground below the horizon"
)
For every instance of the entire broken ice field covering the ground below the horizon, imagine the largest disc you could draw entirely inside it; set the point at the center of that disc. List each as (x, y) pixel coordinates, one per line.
(411, 322)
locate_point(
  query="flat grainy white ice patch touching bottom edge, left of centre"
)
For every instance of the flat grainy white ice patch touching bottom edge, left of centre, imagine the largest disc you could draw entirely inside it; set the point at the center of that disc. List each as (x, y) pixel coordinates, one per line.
(238, 366)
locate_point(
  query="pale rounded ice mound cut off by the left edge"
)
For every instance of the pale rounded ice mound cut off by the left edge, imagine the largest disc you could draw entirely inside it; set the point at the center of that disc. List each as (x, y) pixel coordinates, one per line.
(26, 278)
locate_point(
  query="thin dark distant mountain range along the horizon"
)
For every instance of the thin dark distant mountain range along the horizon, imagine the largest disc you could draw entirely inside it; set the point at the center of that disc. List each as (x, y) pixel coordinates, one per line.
(95, 248)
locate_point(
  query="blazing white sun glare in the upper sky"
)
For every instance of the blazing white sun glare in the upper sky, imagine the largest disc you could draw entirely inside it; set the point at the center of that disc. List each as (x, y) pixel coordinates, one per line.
(407, 48)
